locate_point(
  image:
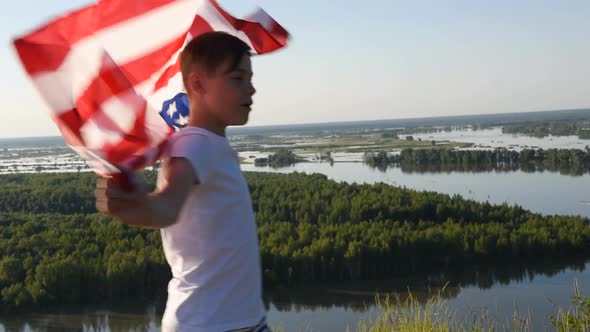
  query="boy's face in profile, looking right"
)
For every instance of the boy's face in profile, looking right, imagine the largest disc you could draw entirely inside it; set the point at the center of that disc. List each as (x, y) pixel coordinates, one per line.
(229, 93)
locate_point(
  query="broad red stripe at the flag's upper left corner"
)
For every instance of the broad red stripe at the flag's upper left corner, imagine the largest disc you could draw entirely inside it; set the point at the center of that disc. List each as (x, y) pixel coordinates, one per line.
(53, 41)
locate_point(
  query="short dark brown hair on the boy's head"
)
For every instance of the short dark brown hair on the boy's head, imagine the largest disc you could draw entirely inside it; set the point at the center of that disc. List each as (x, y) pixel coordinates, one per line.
(210, 50)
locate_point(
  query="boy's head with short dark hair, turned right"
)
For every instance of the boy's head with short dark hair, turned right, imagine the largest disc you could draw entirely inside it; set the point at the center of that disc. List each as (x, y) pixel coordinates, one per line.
(217, 74)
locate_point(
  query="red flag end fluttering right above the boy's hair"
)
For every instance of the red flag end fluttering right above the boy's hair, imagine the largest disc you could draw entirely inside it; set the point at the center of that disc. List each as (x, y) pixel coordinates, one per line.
(262, 40)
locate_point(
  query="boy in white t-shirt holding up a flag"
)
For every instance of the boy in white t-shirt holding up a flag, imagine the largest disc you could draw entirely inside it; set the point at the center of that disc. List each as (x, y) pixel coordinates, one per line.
(202, 204)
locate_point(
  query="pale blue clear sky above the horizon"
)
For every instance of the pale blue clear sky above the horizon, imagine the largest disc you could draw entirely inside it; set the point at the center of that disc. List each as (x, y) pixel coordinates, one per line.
(375, 59)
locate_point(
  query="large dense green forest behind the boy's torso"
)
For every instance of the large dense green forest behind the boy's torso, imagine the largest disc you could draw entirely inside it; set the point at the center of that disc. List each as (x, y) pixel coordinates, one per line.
(310, 229)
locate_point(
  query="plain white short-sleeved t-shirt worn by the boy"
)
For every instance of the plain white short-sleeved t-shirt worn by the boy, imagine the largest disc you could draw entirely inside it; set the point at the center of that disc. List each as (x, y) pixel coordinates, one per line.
(212, 249)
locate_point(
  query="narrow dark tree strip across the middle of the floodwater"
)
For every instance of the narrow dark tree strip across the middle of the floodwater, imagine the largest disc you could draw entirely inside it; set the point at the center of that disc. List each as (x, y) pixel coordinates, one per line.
(566, 161)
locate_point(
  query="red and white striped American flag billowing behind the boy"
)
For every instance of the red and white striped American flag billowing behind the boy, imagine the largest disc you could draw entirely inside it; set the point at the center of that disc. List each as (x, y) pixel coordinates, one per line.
(110, 72)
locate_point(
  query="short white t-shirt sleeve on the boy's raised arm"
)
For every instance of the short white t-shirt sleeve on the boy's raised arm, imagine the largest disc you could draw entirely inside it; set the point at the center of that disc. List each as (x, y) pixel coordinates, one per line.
(194, 148)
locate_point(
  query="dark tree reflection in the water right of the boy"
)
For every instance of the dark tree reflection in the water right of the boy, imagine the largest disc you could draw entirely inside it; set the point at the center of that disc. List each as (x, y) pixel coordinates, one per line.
(448, 284)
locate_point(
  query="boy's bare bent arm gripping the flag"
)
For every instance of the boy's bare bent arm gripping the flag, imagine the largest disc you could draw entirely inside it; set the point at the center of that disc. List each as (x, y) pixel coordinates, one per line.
(154, 210)
